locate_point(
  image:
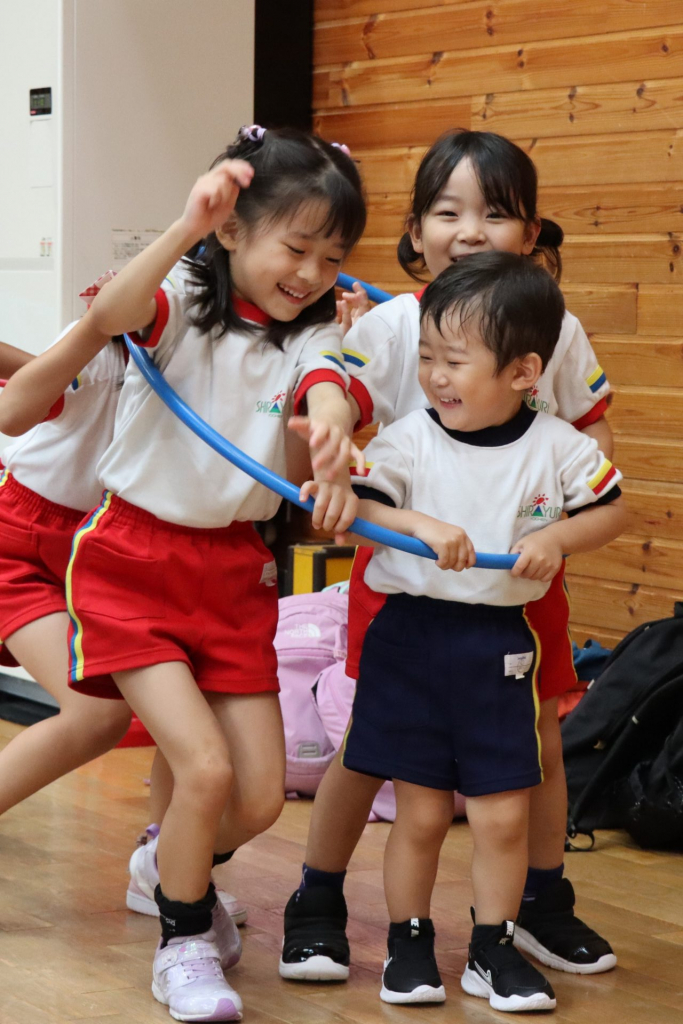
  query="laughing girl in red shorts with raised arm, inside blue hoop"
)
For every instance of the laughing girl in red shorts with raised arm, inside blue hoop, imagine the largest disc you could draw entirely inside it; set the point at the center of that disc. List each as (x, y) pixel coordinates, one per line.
(172, 592)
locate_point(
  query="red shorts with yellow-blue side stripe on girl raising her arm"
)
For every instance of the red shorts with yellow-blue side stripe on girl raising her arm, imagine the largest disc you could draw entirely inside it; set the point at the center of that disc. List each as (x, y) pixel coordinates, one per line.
(142, 591)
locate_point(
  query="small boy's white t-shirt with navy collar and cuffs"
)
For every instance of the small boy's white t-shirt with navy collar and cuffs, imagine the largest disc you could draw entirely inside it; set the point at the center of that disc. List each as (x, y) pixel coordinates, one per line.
(498, 485)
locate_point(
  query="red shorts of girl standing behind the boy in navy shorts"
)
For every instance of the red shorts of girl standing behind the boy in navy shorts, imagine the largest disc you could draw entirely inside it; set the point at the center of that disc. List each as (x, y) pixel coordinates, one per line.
(549, 618)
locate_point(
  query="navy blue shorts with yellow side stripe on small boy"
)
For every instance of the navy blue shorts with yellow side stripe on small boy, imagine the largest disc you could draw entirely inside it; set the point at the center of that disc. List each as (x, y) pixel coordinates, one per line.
(434, 705)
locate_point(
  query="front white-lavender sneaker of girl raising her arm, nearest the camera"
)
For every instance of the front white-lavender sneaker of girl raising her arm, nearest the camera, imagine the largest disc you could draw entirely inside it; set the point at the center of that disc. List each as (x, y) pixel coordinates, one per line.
(188, 978)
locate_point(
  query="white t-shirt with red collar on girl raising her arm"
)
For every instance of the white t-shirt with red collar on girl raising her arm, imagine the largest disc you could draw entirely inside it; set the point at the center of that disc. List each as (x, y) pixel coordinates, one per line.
(241, 387)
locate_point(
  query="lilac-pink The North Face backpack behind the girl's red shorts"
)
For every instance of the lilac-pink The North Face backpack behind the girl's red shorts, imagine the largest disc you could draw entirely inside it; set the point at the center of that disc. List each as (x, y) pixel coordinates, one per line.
(311, 637)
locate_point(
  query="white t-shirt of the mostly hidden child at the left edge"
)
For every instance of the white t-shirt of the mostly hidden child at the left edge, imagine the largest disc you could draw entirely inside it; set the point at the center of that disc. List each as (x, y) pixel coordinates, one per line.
(58, 459)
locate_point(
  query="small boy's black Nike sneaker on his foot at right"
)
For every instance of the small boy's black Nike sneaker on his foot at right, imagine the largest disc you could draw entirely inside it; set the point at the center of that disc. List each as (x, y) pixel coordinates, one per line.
(498, 972)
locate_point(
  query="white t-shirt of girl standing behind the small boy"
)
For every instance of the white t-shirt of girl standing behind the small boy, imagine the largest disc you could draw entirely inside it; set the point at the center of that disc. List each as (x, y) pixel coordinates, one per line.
(381, 354)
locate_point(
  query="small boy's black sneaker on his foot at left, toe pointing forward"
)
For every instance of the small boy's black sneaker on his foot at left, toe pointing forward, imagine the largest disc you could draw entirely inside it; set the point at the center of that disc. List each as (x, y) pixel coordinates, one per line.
(411, 974)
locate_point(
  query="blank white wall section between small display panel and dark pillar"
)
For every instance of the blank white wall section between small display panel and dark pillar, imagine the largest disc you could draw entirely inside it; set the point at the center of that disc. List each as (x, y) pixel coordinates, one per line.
(159, 88)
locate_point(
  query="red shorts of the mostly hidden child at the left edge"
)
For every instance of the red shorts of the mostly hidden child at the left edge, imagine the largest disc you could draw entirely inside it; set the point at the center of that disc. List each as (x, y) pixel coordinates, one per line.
(35, 546)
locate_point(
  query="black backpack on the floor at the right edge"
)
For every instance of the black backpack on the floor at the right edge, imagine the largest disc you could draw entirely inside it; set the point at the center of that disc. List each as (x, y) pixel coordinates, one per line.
(623, 745)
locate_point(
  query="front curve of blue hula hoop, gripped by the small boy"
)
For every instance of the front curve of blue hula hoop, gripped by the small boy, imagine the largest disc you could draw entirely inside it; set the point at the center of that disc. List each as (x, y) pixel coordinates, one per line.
(272, 481)
